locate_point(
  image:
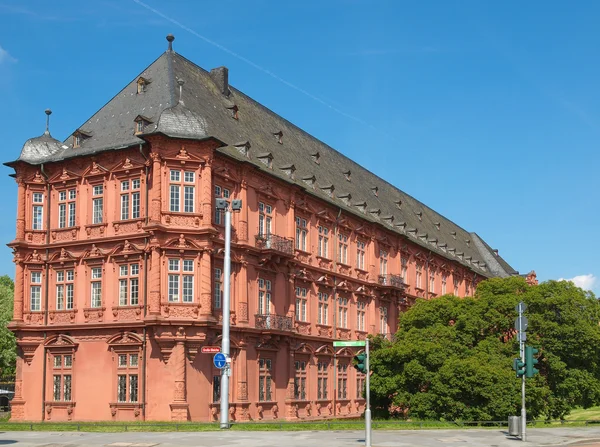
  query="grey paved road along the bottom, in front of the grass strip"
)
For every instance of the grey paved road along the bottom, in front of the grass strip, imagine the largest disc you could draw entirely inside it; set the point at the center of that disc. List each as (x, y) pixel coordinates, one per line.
(414, 438)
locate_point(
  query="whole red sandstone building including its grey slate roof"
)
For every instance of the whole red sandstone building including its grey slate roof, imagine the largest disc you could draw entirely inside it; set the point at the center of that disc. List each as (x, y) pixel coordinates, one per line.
(119, 259)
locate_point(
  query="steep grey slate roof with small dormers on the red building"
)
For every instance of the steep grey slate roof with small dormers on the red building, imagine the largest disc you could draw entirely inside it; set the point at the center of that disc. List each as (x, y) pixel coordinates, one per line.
(297, 157)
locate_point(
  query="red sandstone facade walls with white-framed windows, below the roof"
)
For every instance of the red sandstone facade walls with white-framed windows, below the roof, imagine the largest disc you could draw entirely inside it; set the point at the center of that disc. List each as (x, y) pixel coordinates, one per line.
(116, 291)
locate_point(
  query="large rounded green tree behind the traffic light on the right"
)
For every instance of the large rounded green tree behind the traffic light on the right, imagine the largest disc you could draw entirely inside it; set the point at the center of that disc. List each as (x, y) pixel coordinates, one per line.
(452, 358)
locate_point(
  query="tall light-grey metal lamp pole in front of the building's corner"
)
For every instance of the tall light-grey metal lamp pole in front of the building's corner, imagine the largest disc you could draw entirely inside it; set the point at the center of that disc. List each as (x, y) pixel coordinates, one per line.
(225, 339)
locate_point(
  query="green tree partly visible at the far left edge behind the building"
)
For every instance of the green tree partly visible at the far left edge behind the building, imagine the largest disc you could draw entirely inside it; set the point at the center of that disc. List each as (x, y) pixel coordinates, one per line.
(8, 346)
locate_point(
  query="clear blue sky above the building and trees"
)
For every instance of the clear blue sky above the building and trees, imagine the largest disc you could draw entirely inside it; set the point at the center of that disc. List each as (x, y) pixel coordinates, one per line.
(485, 111)
